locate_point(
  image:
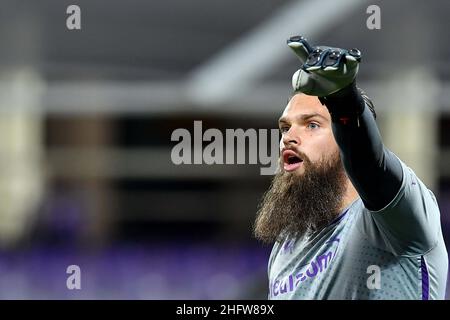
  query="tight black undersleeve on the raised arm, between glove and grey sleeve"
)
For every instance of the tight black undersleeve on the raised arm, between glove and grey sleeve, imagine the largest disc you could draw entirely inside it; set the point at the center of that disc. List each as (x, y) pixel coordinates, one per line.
(374, 170)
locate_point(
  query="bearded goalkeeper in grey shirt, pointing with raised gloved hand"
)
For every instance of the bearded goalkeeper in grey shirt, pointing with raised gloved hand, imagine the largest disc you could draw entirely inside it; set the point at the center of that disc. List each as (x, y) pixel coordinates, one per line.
(348, 219)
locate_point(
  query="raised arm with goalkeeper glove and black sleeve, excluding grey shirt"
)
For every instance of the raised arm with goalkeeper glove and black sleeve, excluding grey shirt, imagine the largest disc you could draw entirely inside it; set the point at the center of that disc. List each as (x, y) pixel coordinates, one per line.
(330, 74)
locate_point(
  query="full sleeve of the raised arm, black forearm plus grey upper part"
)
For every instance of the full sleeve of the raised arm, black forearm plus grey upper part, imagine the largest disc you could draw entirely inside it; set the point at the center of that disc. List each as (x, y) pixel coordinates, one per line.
(401, 214)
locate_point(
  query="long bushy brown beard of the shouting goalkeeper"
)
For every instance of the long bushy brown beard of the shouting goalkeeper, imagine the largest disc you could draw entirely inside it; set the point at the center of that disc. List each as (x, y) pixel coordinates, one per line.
(294, 205)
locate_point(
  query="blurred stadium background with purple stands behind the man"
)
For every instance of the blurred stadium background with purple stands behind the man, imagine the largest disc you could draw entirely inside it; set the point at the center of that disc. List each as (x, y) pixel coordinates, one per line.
(86, 119)
